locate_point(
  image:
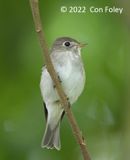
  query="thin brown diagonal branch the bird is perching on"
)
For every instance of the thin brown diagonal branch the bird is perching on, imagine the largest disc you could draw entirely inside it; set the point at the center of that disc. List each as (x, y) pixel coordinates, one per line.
(63, 98)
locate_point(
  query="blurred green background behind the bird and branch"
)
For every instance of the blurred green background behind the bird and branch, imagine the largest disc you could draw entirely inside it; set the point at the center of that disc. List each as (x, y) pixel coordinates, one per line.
(103, 109)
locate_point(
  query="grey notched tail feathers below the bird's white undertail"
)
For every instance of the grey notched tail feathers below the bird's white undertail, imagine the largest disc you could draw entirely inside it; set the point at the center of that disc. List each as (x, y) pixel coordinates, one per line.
(51, 137)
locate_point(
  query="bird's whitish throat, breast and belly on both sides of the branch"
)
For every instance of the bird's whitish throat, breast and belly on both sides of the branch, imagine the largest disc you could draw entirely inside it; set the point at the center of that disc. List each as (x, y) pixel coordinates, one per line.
(70, 69)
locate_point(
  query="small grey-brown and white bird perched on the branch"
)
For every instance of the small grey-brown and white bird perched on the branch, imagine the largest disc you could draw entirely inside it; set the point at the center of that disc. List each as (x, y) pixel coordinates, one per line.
(66, 58)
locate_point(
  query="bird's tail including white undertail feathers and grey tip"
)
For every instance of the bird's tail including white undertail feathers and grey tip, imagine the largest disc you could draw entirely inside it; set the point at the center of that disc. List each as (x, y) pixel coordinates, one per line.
(51, 138)
